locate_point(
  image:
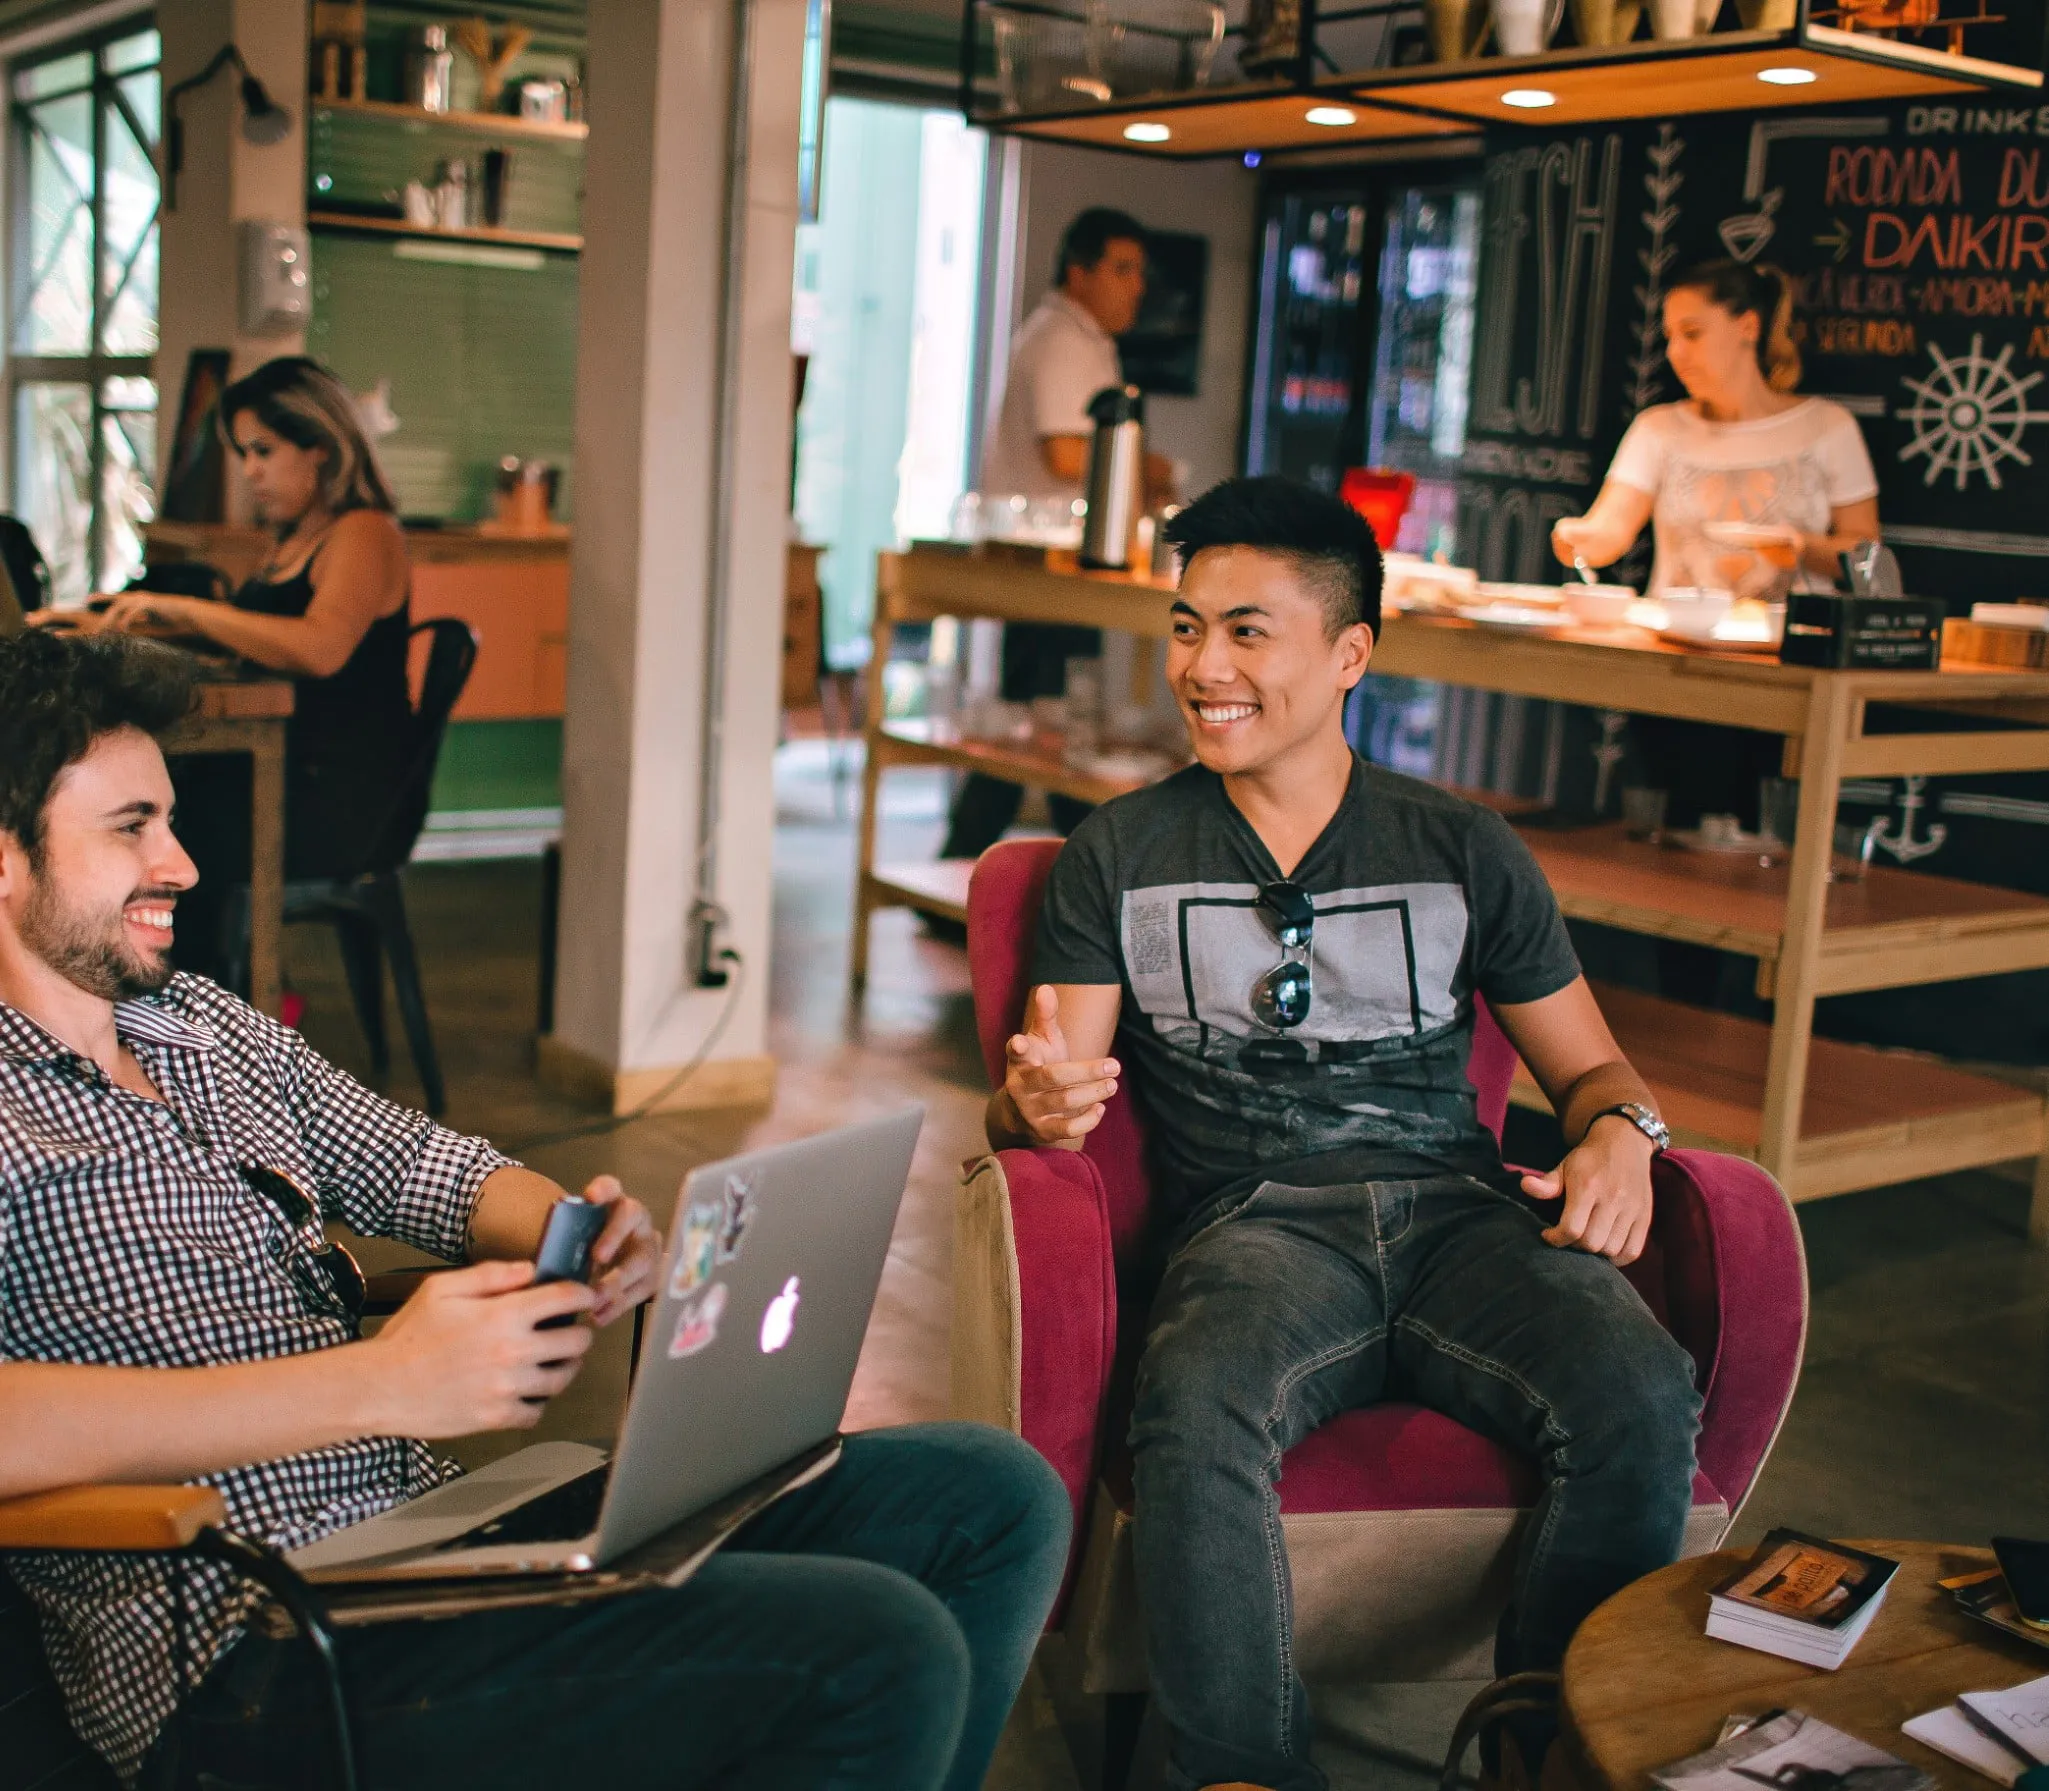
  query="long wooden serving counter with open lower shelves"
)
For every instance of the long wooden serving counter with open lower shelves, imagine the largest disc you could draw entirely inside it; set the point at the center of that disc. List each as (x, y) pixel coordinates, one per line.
(1825, 1118)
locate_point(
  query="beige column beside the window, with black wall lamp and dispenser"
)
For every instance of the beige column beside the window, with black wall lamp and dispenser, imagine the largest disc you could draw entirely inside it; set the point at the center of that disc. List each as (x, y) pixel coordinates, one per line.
(224, 181)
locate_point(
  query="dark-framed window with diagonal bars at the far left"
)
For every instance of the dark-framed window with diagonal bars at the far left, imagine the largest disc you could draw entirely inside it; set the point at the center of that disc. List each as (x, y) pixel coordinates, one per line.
(95, 368)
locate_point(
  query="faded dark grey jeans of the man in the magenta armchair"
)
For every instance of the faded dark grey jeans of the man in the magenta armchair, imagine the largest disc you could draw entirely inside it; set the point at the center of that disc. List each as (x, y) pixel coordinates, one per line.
(1298, 1304)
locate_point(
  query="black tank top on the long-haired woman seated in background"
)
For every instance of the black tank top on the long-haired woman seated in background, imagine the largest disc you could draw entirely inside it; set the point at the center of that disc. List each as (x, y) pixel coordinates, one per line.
(349, 739)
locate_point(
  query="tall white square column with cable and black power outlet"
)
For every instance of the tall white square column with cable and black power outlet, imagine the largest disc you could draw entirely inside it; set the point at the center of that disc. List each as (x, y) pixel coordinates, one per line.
(628, 1009)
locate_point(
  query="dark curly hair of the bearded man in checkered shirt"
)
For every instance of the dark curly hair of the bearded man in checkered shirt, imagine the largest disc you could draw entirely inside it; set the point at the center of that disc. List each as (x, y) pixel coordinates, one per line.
(60, 694)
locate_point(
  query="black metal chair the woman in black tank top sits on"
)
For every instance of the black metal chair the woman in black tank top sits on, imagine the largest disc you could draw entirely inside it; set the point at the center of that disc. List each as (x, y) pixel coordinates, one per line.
(368, 911)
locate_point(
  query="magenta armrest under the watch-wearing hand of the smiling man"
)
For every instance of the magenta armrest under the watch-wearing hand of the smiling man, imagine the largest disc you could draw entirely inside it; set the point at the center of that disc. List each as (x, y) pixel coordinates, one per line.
(1737, 1280)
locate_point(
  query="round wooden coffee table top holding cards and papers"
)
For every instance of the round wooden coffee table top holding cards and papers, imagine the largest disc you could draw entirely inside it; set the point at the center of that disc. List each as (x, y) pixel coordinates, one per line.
(1646, 1688)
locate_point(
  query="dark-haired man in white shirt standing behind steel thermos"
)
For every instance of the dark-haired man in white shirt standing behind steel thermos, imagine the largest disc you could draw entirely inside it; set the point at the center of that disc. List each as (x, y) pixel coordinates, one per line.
(1064, 353)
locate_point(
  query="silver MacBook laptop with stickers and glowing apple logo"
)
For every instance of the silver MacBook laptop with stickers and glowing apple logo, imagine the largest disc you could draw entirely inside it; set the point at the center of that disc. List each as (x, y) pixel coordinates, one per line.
(751, 1345)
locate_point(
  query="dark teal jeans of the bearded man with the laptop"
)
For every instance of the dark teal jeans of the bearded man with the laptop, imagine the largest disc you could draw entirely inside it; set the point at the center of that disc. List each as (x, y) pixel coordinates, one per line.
(870, 1630)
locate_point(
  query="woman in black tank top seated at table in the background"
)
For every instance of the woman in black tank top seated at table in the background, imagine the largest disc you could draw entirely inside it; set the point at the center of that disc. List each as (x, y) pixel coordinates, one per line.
(331, 612)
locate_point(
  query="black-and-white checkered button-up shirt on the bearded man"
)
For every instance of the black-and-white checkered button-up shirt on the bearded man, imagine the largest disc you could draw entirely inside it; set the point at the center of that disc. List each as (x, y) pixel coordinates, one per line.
(130, 1237)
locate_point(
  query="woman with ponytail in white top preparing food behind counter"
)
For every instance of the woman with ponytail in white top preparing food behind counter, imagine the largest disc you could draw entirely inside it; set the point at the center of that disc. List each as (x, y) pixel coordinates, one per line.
(1749, 487)
